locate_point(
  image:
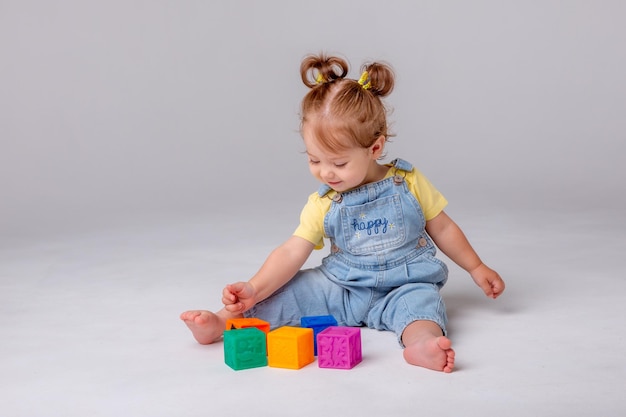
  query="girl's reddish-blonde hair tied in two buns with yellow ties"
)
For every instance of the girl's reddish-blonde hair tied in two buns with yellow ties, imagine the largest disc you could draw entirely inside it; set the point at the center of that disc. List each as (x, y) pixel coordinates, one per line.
(341, 111)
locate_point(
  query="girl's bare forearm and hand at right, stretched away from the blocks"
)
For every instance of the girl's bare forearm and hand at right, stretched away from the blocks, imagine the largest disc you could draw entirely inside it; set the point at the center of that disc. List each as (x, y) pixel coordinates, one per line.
(450, 239)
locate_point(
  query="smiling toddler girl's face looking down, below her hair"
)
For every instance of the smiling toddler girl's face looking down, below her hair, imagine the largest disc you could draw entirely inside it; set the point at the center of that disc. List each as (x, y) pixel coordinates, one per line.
(343, 170)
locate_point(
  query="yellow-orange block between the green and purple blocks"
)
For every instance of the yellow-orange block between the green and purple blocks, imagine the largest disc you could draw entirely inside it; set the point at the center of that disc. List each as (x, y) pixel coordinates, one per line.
(290, 347)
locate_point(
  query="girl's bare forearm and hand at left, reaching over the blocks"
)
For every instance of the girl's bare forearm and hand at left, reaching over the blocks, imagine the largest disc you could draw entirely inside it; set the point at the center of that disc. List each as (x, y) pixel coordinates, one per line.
(279, 267)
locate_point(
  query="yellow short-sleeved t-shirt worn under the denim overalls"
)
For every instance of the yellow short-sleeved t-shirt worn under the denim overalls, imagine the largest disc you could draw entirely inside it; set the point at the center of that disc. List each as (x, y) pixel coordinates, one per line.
(312, 216)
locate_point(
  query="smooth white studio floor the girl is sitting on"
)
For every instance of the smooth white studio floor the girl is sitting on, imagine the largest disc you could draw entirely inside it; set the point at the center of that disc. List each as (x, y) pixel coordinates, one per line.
(89, 327)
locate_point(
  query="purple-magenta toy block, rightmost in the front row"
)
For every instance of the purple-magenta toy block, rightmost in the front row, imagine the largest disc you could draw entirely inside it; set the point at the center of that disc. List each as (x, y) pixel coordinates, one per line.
(339, 347)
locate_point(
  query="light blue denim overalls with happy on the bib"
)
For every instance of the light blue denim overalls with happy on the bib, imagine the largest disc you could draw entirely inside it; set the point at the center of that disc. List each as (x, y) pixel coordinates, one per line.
(381, 271)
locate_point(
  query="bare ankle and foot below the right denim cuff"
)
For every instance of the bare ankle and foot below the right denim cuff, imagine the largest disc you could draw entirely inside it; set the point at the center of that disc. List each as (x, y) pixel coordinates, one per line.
(426, 346)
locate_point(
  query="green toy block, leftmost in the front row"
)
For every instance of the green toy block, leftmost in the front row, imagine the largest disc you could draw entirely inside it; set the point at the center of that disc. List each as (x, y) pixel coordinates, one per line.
(245, 348)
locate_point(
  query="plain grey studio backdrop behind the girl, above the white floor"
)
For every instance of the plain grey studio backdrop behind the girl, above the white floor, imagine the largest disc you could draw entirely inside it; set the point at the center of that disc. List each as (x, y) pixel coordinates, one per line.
(112, 111)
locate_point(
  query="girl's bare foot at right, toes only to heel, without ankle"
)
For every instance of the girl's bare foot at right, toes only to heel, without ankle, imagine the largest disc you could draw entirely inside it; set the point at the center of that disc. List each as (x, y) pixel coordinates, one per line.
(433, 353)
